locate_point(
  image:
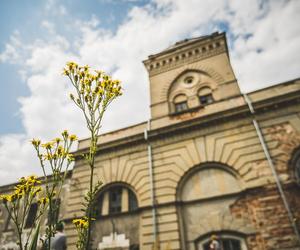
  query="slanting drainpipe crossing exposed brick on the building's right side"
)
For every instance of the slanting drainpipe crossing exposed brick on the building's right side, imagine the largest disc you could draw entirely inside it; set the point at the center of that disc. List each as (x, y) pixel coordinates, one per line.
(271, 164)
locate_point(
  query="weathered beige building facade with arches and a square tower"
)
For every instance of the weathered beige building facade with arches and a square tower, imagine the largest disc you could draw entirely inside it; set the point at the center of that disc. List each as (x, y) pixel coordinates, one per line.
(210, 162)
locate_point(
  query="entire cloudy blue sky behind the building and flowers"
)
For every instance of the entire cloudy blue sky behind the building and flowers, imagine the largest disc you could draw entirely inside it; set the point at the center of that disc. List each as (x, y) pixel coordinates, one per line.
(37, 38)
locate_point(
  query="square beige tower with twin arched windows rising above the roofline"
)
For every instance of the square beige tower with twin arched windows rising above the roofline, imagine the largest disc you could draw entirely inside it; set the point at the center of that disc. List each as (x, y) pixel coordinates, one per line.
(190, 76)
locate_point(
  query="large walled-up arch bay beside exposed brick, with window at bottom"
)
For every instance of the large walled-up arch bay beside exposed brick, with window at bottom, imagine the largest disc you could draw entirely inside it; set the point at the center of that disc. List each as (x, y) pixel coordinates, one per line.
(206, 194)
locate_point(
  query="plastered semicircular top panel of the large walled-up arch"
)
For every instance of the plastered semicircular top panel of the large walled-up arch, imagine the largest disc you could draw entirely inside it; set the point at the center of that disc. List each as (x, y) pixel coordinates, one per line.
(208, 170)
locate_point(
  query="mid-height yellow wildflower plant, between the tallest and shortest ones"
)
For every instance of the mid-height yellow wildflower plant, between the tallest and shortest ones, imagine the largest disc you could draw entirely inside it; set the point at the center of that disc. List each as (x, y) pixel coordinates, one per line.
(55, 155)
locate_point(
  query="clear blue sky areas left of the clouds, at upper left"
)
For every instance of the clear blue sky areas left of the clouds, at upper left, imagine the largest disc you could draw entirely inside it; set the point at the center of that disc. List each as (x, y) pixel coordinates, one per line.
(25, 17)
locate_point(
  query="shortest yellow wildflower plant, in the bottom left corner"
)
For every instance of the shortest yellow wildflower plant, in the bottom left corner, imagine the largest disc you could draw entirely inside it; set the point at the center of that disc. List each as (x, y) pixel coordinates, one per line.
(18, 204)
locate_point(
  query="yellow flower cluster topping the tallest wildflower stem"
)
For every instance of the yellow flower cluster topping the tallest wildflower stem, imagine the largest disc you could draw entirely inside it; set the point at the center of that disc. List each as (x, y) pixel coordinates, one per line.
(92, 89)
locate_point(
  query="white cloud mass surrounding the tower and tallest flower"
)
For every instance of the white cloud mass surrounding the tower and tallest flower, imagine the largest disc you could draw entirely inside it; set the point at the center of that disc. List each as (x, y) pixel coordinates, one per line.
(264, 49)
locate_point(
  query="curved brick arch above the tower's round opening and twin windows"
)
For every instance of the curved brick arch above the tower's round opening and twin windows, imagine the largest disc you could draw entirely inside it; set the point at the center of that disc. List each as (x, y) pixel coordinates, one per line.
(199, 68)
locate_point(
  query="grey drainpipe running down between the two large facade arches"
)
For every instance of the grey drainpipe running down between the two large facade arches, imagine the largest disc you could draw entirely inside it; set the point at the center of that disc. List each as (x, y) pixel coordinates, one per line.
(150, 167)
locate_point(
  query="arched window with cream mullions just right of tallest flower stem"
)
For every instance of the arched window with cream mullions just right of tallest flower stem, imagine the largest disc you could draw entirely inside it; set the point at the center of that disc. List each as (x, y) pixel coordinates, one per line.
(116, 199)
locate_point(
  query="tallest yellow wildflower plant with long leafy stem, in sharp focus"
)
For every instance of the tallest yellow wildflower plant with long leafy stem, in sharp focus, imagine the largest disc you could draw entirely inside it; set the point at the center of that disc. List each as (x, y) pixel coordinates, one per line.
(94, 91)
